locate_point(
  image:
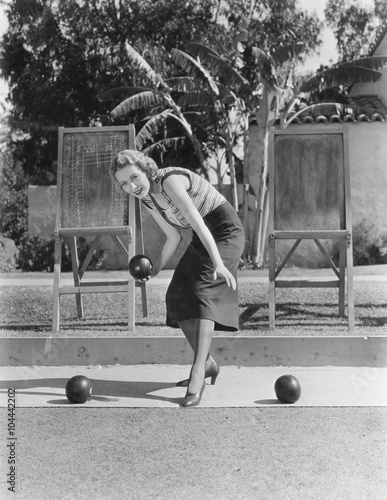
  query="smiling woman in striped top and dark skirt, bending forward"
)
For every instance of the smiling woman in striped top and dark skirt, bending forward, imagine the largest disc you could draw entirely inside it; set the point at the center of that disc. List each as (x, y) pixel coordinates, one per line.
(202, 296)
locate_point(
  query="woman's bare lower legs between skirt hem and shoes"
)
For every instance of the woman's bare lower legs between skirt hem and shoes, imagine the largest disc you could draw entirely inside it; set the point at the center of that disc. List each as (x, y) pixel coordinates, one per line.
(200, 332)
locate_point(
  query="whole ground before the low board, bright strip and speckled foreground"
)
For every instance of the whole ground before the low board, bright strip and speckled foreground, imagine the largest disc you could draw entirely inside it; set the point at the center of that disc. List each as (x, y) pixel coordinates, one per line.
(240, 443)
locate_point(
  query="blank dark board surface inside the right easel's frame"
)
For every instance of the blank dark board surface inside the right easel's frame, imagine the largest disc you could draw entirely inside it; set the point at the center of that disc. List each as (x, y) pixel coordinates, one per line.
(309, 182)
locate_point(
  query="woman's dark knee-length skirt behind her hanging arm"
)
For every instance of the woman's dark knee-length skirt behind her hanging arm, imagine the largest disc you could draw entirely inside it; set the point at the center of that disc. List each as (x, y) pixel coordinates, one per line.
(193, 293)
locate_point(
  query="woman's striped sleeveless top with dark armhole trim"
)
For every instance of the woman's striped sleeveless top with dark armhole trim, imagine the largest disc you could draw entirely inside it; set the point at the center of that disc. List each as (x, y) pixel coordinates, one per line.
(203, 195)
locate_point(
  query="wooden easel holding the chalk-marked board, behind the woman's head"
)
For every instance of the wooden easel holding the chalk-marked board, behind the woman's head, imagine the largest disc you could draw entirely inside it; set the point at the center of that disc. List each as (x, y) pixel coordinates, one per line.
(90, 204)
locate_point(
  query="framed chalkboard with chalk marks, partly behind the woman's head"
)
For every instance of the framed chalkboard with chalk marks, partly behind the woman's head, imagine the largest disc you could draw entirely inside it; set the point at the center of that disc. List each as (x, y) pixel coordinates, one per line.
(88, 197)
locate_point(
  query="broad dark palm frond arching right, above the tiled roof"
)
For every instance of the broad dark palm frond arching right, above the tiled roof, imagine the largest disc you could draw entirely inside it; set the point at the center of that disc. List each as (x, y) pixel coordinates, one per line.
(340, 76)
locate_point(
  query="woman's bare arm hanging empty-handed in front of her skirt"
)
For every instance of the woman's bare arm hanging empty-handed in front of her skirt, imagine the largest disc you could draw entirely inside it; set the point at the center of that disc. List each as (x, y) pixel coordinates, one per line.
(176, 187)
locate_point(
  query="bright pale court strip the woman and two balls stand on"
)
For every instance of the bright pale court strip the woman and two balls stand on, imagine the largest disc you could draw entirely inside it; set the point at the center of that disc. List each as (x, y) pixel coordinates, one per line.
(153, 386)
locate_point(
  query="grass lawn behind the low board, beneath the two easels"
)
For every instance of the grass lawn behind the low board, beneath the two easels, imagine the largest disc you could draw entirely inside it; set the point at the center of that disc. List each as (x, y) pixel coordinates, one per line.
(27, 310)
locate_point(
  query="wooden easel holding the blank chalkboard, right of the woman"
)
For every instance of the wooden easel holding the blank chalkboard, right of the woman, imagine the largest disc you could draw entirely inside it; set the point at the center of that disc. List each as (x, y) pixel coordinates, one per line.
(310, 199)
